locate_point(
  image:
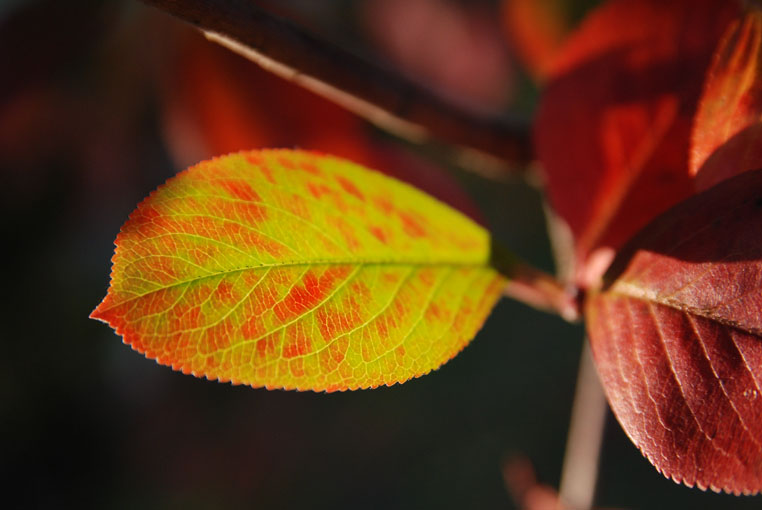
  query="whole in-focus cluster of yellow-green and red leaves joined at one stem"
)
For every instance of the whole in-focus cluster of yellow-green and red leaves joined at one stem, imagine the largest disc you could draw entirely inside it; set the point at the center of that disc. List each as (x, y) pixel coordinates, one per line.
(290, 269)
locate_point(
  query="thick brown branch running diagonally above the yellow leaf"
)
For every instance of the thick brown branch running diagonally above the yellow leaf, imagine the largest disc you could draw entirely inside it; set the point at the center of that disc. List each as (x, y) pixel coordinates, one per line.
(382, 96)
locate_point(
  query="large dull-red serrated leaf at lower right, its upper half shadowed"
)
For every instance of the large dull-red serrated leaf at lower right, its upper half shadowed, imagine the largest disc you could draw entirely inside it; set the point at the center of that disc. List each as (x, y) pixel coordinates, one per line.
(676, 338)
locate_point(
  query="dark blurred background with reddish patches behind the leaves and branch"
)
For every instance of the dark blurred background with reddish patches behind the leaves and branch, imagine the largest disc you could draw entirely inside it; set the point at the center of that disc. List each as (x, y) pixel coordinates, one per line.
(102, 101)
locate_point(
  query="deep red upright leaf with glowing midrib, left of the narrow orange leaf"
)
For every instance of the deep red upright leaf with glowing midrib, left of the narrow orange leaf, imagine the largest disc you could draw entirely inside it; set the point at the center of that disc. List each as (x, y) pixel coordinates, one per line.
(614, 124)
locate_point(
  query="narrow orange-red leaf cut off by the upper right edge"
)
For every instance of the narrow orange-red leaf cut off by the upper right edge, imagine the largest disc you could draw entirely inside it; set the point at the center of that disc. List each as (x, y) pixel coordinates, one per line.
(731, 105)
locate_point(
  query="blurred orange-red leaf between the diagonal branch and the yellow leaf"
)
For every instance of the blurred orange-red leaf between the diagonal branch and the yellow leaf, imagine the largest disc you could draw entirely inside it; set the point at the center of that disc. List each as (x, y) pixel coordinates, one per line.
(231, 104)
